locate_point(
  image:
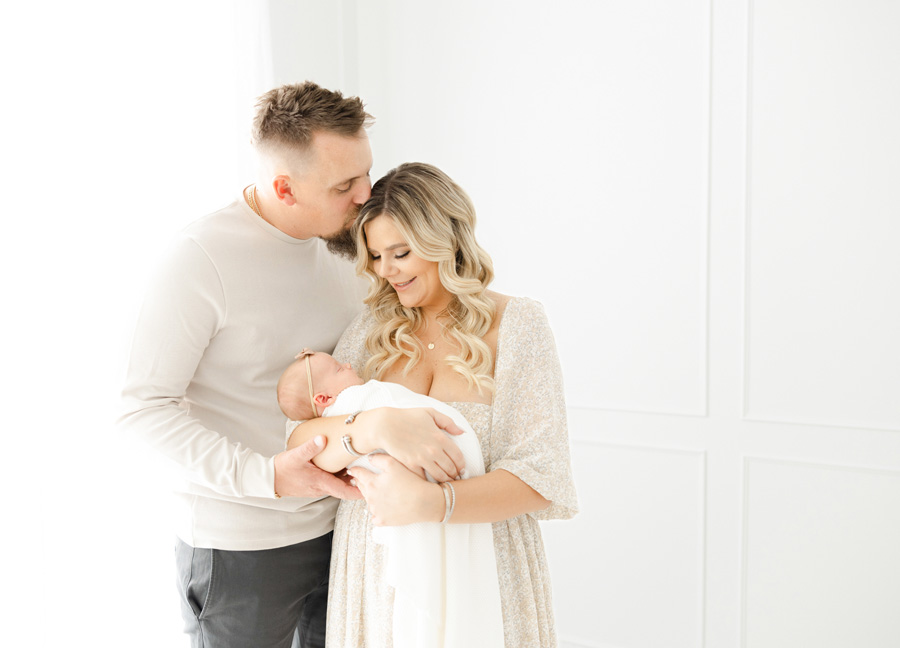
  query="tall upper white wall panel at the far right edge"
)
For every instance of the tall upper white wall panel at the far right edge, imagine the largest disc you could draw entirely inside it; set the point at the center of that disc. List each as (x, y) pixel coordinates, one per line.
(823, 215)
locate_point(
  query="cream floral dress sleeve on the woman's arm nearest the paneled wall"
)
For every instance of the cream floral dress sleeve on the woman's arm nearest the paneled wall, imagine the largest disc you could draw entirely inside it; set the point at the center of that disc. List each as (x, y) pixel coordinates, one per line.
(529, 434)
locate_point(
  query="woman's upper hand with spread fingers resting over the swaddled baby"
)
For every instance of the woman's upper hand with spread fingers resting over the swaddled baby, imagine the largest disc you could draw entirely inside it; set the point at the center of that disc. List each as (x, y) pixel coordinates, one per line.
(416, 438)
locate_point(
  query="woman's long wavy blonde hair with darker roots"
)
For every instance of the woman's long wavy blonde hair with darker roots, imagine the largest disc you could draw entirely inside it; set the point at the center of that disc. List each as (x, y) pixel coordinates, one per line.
(437, 220)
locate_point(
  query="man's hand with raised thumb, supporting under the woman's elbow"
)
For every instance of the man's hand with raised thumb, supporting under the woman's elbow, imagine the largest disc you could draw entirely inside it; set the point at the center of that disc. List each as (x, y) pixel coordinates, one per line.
(296, 476)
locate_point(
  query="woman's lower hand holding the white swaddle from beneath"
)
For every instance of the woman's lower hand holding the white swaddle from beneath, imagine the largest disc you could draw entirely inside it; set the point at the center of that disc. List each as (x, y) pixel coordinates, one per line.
(397, 496)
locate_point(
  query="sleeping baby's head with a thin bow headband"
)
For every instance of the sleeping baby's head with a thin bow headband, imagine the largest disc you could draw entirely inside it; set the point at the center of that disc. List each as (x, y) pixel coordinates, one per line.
(311, 383)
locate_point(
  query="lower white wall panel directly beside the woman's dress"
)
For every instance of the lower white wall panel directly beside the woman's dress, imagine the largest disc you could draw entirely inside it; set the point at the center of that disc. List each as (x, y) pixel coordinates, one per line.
(620, 533)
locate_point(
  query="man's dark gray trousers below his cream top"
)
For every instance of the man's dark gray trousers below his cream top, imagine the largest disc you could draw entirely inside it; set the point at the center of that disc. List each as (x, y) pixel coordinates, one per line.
(254, 599)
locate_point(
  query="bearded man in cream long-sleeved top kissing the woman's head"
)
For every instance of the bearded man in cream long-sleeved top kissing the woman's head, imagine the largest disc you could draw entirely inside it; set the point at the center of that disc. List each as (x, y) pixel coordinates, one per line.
(242, 291)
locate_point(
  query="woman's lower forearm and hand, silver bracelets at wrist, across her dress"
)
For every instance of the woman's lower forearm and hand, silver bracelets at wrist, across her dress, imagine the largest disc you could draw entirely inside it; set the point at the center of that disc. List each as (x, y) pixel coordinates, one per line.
(398, 497)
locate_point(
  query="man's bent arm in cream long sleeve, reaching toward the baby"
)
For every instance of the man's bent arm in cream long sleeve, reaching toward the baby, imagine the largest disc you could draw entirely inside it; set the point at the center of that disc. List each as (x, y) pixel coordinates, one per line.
(182, 312)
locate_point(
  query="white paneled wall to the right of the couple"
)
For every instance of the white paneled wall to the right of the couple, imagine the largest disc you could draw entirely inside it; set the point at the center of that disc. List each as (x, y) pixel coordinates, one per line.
(705, 197)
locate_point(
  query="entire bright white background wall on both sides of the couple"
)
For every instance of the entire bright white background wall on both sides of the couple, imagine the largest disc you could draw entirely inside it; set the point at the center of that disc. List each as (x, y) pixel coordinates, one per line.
(702, 194)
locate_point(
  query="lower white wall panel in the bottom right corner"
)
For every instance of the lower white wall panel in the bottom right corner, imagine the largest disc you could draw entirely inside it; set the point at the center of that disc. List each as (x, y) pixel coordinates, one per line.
(809, 510)
